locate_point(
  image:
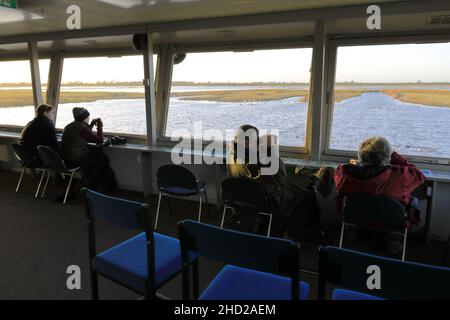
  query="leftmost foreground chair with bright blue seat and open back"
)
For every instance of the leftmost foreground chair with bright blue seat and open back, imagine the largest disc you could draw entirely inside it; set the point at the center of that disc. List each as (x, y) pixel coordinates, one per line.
(143, 263)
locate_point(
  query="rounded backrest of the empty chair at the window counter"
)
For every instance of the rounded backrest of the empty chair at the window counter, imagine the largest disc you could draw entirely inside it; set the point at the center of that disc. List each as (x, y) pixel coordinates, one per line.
(172, 175)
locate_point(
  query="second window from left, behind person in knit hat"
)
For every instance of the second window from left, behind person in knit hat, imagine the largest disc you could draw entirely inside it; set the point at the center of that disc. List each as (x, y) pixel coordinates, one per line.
(110, 88)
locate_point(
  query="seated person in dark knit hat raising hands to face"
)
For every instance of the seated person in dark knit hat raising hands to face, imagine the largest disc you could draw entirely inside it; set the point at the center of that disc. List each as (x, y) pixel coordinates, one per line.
(95, 164)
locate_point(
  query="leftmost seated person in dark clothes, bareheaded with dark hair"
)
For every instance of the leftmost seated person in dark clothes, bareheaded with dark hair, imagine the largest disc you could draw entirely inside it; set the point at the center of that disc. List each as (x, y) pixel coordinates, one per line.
(40, 131)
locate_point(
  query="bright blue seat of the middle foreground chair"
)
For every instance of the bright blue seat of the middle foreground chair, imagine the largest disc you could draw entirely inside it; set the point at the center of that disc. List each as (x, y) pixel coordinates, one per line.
(236, 283)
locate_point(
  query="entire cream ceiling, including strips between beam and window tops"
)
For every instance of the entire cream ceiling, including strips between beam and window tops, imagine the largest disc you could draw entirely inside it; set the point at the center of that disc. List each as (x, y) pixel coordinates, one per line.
(96, 14)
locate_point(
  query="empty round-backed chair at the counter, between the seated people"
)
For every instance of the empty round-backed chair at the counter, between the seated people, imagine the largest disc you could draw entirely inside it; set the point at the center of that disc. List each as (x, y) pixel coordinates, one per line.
(177, 181)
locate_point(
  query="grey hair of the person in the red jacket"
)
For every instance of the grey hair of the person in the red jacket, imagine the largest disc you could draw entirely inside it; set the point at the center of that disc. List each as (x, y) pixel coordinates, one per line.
(375, 151)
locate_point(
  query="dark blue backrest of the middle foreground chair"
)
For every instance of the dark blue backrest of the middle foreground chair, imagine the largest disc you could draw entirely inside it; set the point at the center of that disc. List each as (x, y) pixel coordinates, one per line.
(271, 255)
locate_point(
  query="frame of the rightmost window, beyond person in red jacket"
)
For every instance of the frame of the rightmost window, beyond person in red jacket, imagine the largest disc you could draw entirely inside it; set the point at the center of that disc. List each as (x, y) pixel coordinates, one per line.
(344, 155)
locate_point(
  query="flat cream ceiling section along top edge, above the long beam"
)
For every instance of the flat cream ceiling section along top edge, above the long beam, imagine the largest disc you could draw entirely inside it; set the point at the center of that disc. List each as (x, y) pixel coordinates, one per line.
(96, 14)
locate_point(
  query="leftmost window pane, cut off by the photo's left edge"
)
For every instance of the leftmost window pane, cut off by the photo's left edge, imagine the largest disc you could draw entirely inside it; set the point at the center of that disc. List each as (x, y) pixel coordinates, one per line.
(16, 95)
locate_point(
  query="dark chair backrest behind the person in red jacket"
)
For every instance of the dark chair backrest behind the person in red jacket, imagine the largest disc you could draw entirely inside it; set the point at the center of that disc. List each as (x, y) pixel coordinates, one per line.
(375, 211)
